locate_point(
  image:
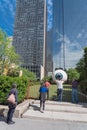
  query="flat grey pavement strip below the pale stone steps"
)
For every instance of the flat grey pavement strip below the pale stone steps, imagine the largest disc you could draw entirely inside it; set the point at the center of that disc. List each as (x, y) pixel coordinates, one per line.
(33, 124)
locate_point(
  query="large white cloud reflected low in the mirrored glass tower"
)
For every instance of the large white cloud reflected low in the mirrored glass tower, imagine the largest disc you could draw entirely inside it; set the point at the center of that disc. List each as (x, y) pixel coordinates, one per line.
(73, 52)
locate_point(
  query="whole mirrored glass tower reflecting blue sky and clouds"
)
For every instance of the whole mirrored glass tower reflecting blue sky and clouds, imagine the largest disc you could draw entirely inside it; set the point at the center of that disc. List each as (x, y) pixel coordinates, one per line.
(69, 32)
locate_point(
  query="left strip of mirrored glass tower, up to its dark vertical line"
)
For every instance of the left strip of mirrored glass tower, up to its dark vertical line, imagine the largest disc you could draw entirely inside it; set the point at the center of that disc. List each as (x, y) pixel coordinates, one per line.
(58, 34)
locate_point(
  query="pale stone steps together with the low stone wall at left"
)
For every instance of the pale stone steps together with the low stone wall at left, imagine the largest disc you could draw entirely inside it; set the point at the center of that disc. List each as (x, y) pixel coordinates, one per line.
(64, 111)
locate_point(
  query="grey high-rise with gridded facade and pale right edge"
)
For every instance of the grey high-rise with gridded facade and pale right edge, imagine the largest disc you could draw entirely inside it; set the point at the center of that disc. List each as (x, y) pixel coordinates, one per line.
(30, 33)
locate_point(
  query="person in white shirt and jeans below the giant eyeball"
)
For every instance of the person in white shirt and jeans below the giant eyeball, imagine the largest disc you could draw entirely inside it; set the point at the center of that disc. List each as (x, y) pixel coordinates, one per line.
(59, 89)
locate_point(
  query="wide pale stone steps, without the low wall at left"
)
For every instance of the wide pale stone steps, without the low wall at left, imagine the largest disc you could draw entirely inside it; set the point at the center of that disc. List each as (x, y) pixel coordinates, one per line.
(58, 111)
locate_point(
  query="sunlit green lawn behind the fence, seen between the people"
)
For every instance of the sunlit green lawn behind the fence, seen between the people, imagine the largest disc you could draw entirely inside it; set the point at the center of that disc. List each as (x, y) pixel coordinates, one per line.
(34, 93)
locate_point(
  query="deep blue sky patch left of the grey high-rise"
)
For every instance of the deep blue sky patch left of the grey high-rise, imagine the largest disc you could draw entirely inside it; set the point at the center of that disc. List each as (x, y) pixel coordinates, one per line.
(7, 14)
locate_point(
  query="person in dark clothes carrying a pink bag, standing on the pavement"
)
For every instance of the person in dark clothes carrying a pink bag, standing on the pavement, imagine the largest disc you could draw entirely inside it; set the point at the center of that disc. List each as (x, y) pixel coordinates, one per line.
(12, 106)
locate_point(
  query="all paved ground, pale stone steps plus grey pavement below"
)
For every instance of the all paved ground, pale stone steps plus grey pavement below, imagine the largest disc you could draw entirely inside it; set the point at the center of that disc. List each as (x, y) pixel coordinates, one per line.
(58, 116)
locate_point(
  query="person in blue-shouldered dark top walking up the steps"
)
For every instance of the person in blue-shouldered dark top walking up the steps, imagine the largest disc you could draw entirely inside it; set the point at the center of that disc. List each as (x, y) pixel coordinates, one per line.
(42, 97)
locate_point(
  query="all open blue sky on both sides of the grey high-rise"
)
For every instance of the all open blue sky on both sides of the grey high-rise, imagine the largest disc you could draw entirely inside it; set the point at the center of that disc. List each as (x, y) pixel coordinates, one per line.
(7, 15)
